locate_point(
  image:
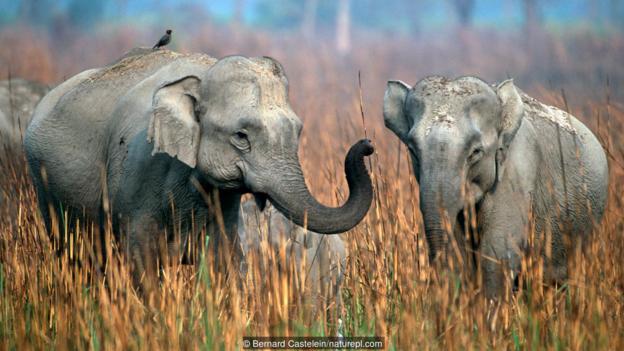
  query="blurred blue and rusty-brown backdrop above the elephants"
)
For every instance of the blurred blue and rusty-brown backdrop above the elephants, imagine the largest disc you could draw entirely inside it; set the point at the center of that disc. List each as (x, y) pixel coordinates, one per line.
(565, 52)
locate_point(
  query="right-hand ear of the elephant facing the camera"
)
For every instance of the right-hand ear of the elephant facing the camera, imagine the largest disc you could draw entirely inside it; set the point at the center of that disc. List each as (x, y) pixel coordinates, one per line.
(512, 112)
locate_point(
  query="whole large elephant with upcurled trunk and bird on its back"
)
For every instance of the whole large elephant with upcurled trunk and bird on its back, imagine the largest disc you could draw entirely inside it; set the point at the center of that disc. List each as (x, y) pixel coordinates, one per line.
(165, 143)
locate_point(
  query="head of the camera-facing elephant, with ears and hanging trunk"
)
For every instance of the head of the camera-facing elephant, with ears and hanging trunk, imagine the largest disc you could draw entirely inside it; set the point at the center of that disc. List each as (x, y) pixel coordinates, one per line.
(458, 133)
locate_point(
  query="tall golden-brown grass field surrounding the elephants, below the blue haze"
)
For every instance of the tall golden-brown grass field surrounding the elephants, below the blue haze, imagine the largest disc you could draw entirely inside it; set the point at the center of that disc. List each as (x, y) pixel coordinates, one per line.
(389, 289)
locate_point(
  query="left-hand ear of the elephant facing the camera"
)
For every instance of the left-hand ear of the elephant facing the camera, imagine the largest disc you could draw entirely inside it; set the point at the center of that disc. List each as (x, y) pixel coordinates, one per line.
(394, 108)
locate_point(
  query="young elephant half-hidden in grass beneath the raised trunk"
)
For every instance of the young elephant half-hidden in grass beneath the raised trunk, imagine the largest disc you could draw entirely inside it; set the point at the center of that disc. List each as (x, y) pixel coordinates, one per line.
(325, 256)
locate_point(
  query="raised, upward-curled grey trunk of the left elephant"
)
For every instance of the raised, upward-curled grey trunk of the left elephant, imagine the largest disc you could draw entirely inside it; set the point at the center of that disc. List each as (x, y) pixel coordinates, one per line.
(290, 195)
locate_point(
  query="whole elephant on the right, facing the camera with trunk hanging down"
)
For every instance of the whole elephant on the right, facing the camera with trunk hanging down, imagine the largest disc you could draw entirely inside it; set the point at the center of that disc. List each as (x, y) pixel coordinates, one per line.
(497, 149)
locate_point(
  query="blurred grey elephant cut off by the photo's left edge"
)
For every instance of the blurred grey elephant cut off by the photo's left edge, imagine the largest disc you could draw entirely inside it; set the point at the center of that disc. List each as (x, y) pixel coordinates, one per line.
(18, 98)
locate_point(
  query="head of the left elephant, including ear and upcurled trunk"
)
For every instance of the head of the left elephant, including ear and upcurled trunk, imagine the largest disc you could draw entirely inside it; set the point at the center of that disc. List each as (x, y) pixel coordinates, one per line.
(233, 123)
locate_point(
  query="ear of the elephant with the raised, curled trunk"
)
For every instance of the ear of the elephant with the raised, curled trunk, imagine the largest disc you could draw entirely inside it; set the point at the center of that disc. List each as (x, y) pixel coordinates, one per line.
(173, 127)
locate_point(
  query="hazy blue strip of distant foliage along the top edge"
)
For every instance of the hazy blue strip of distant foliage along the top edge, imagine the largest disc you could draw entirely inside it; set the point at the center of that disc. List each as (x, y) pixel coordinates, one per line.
(406, 17)
